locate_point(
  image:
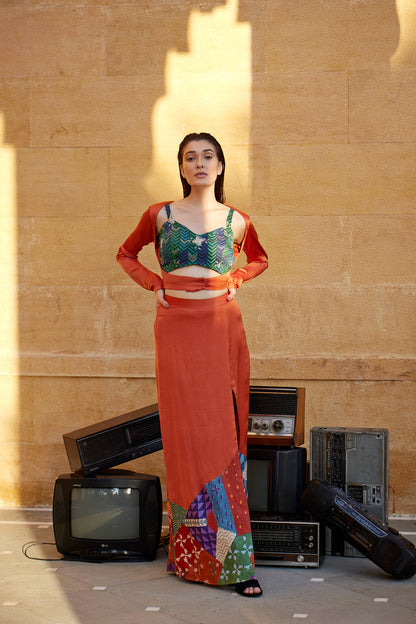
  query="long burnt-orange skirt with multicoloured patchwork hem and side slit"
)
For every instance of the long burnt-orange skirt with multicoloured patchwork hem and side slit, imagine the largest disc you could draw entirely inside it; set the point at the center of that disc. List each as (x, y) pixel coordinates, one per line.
(203, 377)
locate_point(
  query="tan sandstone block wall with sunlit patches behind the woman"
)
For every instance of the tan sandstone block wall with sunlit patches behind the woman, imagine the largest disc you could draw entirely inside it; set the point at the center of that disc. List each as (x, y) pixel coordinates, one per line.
(314, 103)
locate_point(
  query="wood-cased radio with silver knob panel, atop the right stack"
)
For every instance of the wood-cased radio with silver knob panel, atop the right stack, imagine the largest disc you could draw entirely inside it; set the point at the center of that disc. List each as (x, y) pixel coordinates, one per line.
(276, 416)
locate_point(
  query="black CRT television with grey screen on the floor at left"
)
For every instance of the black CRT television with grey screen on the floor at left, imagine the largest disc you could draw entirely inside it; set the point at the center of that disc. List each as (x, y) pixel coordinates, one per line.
(116, 514)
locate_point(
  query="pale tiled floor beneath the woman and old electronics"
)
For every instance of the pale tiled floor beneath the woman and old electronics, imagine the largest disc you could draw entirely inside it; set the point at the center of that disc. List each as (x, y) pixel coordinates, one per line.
(47, 589)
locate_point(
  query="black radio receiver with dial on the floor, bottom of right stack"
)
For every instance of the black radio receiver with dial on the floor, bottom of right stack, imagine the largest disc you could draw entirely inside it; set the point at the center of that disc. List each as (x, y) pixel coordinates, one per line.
(285, 542)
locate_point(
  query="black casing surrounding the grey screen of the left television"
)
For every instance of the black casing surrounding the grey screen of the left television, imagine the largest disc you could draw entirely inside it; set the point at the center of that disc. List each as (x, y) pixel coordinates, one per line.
(143, 548)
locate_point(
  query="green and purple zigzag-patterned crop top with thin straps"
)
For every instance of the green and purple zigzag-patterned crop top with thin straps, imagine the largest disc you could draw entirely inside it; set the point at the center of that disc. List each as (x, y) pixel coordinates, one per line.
(180, 247)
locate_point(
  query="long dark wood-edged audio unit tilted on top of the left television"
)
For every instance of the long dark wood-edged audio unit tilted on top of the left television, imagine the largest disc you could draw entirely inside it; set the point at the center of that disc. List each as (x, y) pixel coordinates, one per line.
(114, 441)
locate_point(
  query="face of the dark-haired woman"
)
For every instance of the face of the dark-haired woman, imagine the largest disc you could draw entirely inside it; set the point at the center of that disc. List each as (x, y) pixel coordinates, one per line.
(200, 165)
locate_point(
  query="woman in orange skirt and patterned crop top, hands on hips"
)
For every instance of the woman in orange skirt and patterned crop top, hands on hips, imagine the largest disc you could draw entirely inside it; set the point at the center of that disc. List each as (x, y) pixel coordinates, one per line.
(202, 366)
